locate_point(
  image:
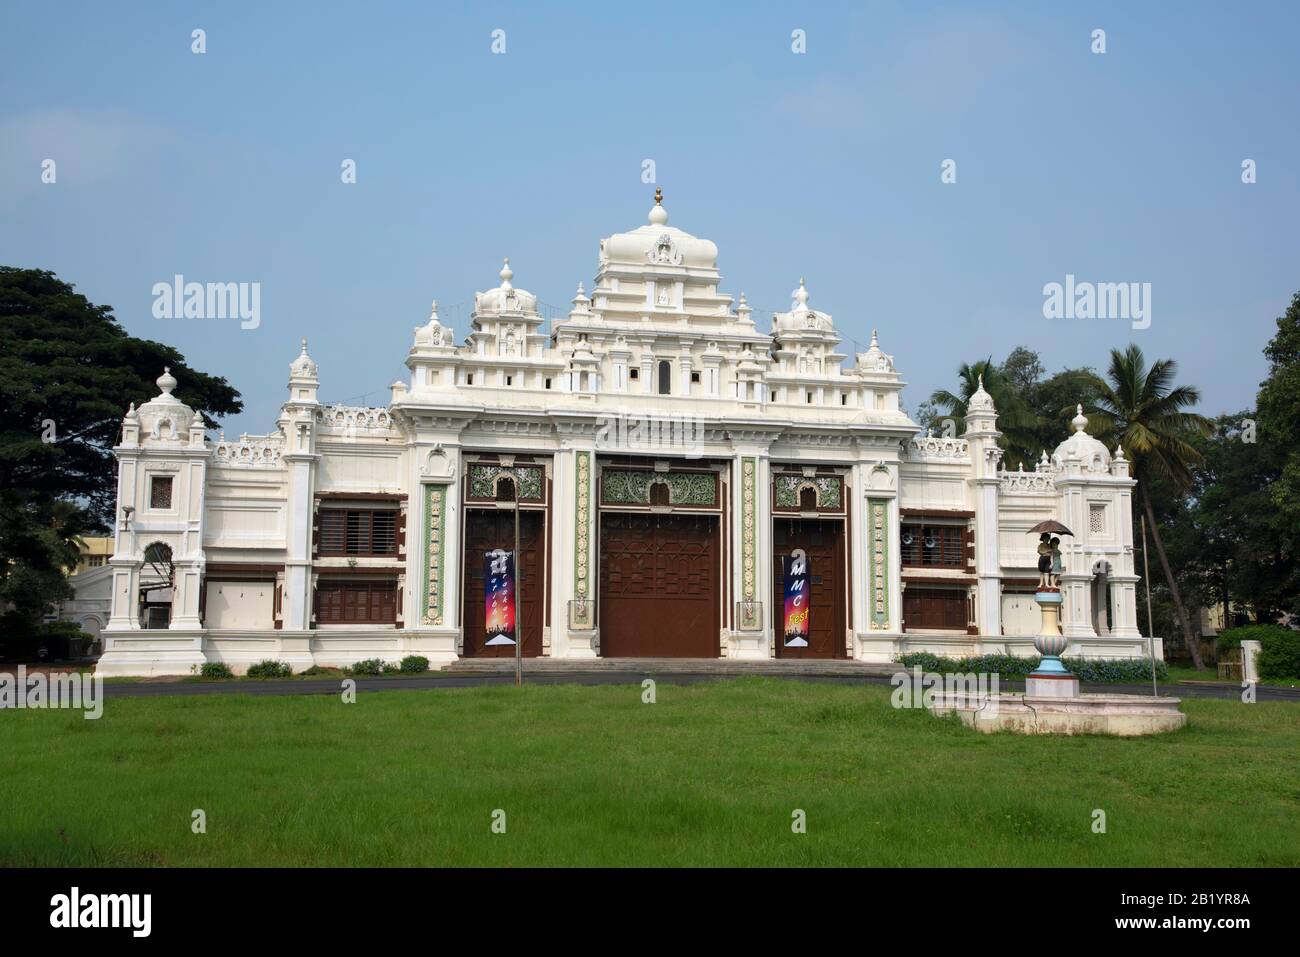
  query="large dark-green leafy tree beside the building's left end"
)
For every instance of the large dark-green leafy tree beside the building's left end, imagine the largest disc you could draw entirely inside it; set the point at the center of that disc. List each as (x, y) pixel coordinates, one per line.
(68, 373)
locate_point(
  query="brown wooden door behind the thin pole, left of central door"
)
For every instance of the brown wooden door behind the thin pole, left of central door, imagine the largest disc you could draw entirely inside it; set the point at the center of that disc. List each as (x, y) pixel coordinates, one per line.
(488, 530)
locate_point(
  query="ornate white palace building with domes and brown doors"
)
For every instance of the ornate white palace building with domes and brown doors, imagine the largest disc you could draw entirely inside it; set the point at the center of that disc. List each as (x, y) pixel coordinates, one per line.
(664, 454)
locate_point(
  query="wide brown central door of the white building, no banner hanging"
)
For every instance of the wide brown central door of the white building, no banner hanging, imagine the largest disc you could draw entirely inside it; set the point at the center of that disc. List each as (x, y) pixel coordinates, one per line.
(660, 586)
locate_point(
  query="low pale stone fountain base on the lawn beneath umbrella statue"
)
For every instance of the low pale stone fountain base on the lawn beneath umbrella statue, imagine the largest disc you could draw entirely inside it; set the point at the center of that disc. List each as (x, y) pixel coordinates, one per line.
(1125, 716)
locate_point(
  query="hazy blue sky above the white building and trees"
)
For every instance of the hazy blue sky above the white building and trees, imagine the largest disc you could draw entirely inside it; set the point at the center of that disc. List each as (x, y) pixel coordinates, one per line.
(226, 167)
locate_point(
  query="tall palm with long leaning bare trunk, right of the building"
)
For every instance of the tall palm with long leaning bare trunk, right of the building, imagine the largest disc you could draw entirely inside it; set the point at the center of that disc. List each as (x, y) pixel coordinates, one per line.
(1147, 413)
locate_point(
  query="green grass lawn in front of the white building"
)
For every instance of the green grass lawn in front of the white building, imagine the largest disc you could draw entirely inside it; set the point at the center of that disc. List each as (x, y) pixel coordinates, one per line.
(709, 776)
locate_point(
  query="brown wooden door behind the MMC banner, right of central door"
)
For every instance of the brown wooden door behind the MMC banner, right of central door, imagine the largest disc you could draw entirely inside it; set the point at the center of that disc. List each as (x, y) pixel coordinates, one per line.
(824, 542)
